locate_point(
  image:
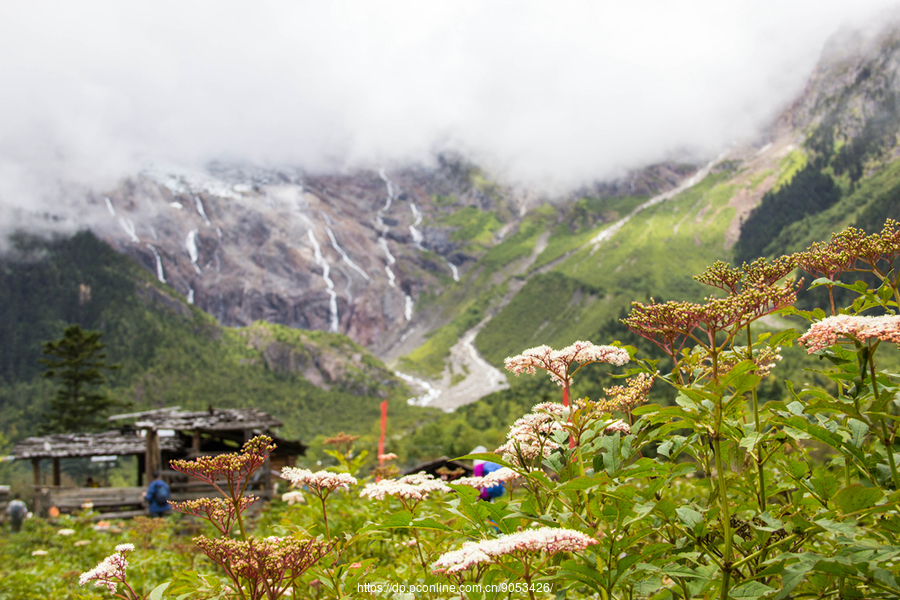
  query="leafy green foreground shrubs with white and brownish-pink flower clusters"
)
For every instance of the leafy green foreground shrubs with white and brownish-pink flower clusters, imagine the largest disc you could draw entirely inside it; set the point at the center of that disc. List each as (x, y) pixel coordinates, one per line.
(619, 497)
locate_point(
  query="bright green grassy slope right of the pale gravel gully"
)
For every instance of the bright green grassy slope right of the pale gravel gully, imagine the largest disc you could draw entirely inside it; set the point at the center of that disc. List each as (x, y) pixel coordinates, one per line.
(656, 253)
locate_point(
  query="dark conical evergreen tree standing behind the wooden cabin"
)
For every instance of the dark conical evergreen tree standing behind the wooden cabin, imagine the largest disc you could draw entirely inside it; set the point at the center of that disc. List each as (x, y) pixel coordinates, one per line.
(77, 361)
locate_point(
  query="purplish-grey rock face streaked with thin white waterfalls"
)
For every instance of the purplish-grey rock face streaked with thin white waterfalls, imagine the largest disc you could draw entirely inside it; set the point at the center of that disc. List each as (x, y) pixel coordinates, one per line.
(350, 253)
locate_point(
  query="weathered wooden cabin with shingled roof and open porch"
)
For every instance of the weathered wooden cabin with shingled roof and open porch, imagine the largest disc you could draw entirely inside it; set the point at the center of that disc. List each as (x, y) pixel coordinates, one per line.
(155, 438)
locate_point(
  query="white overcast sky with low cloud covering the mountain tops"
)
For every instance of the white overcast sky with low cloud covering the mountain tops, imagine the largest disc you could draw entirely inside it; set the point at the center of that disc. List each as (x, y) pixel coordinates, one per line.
(540, 92)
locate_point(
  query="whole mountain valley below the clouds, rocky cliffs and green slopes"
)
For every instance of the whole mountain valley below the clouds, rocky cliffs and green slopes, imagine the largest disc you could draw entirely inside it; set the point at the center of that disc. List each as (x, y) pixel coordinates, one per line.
(316, 296)
